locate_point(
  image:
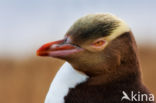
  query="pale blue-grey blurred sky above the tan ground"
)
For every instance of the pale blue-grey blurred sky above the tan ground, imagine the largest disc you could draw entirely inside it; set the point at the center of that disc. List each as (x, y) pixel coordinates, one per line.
(27, 24)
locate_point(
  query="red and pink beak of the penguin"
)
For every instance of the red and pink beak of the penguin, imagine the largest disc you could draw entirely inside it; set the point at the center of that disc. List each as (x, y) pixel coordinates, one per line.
(58, 49)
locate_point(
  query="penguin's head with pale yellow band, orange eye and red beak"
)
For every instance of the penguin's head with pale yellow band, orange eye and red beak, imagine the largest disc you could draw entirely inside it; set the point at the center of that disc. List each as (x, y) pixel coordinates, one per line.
(93, 45)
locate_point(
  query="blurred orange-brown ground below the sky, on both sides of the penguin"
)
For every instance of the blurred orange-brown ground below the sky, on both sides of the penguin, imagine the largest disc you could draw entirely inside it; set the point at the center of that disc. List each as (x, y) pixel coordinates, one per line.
(28, 80)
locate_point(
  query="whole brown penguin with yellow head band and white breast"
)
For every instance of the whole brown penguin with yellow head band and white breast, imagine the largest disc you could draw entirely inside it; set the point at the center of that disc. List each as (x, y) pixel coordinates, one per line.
(101, 49)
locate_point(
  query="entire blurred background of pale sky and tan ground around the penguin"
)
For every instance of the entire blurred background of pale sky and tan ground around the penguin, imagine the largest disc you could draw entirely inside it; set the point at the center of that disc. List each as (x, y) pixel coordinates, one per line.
(27, 24)
